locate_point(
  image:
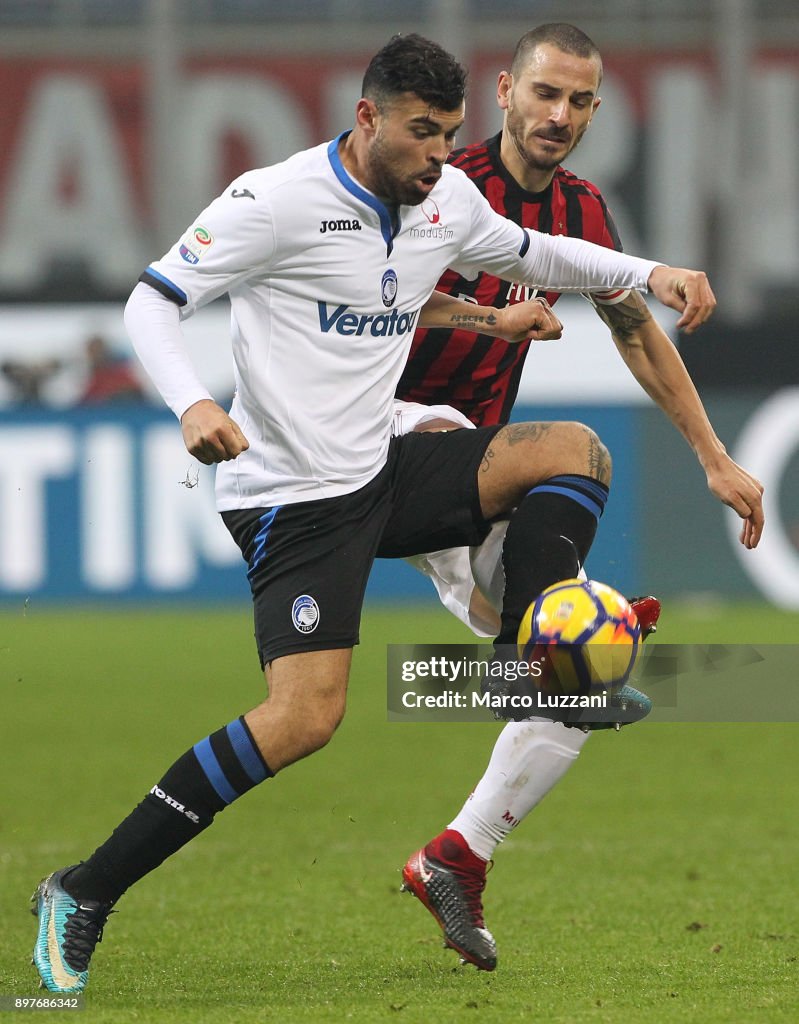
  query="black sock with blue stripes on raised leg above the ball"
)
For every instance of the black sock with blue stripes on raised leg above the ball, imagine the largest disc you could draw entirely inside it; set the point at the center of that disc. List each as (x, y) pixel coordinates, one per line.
(549, 538)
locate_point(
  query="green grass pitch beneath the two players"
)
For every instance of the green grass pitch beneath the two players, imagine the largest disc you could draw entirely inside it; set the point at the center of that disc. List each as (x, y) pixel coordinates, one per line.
(657, 883)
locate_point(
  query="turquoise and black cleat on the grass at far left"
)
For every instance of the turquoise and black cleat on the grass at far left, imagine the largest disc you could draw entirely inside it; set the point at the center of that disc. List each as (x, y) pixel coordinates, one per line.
(69, 931)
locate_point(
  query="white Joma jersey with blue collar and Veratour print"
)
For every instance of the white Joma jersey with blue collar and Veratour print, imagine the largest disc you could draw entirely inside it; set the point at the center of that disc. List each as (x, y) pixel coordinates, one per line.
(326, 289)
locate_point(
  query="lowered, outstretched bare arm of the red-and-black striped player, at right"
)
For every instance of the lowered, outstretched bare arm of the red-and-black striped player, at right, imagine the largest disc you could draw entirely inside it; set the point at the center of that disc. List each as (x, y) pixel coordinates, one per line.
(657, 366)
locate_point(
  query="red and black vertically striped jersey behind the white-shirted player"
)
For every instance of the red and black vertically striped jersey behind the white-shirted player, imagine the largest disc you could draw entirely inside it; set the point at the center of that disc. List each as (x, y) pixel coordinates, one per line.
(477, 374)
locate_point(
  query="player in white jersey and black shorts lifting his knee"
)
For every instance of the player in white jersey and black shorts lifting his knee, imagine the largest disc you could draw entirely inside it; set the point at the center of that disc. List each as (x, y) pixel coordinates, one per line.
(328, 259)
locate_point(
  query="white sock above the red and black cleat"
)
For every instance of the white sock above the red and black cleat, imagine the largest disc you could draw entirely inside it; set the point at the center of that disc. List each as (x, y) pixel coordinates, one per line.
(528, 759)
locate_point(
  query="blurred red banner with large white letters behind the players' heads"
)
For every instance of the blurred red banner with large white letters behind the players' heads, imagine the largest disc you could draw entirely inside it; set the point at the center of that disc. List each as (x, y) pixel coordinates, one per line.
(90, 193)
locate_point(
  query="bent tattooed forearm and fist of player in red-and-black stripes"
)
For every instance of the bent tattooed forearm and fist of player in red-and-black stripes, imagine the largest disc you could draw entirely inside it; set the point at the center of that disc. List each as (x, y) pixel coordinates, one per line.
(533, 320)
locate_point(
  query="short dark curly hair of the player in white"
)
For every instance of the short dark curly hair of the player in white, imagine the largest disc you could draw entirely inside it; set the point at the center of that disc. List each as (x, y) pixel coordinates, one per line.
(412, 64)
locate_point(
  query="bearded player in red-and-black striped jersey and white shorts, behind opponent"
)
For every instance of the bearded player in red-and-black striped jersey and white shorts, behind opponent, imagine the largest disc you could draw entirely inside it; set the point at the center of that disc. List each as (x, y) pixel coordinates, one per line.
(550, 98)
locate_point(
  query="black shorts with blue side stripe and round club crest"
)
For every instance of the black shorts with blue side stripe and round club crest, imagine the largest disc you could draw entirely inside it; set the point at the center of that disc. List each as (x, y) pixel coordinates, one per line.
(309, 563)
